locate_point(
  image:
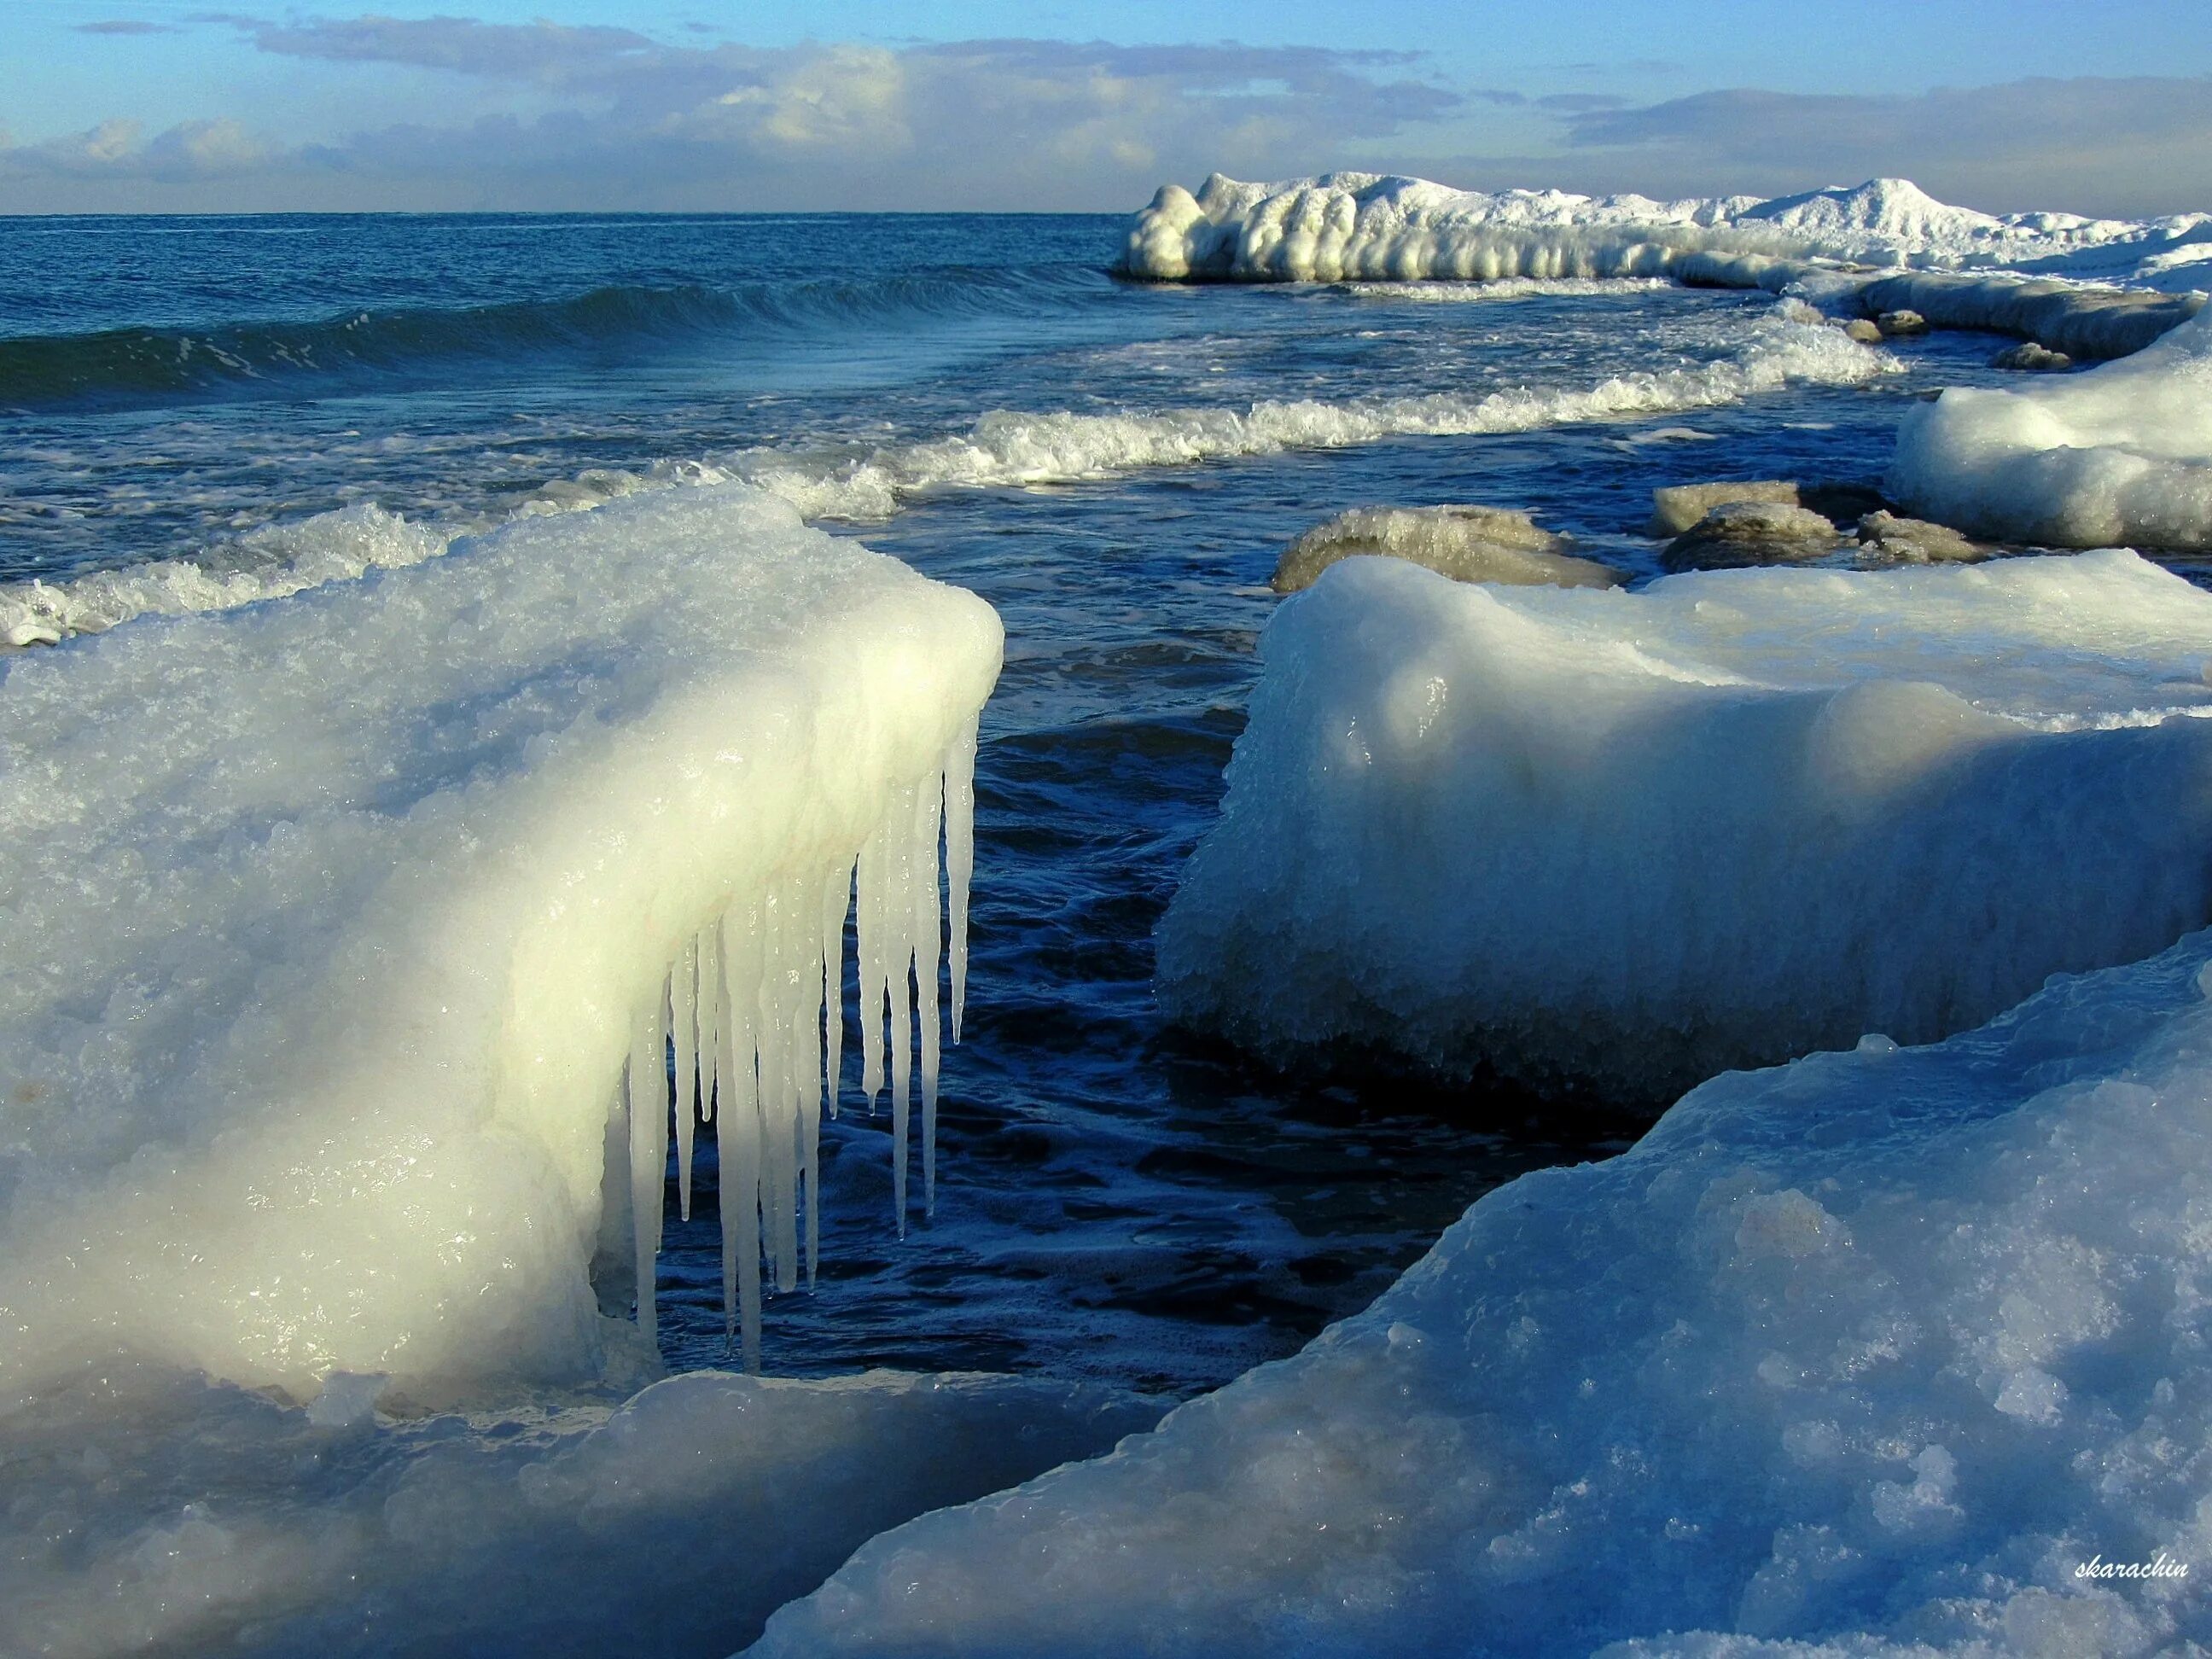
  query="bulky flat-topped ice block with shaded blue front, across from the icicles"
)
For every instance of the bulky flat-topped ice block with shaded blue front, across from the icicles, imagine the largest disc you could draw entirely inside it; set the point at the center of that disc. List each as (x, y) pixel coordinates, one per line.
(1583, 835)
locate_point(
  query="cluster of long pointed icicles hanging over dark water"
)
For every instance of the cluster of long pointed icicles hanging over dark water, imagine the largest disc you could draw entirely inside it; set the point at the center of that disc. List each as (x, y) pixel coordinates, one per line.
(753, 1016)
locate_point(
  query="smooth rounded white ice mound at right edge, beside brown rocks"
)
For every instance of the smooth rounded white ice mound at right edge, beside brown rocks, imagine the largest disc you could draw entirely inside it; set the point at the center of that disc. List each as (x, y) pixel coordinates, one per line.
(2114, 455)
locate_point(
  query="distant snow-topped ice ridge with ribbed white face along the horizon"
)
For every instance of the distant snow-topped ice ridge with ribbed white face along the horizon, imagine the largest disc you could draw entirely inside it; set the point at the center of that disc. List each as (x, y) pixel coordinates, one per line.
(2054, 271)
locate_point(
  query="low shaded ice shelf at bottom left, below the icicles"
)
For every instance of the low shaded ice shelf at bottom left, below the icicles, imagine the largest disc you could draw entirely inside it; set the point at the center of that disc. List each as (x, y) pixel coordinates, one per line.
(216, 1521)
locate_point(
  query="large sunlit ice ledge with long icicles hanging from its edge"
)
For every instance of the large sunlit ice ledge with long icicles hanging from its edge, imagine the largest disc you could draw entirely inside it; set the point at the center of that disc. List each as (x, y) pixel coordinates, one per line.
(346, 932)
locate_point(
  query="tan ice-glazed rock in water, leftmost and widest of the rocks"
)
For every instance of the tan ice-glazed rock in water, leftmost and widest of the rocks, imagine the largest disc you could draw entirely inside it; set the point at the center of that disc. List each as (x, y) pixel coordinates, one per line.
(1463, 543)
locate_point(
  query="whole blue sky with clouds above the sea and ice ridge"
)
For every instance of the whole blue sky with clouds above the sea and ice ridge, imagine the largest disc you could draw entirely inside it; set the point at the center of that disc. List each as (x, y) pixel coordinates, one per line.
(926, 105)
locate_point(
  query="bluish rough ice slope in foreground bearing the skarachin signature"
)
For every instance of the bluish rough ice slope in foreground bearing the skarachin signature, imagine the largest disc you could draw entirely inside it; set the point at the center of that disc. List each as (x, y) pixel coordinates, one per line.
(1884, 1346)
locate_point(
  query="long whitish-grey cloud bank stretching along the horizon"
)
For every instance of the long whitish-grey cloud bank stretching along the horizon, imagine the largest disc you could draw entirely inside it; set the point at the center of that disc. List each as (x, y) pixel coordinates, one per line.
(605, 118)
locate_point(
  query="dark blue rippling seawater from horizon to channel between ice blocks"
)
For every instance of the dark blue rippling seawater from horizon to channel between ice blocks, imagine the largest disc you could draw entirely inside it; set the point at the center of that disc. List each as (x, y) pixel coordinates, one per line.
(1116, 1200)
